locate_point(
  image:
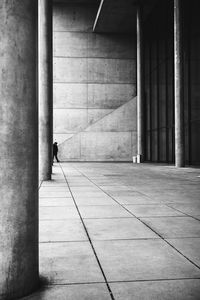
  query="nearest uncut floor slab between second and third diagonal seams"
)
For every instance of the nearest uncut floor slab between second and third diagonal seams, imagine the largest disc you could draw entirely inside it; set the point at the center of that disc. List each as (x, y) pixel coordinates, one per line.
(152, 210)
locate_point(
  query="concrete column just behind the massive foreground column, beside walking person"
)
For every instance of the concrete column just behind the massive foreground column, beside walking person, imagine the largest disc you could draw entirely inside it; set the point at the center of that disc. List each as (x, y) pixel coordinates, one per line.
(45, 89)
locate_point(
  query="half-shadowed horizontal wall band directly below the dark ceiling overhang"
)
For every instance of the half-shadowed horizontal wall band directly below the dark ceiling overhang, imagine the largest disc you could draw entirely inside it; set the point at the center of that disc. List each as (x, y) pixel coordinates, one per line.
(84, 44)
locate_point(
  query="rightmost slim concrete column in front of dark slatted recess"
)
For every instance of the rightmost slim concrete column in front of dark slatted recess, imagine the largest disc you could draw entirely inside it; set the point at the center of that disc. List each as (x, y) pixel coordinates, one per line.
(179, 86)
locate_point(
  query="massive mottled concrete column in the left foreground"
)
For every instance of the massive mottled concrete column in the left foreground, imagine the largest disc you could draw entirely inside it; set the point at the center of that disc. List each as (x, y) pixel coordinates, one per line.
(18, 148)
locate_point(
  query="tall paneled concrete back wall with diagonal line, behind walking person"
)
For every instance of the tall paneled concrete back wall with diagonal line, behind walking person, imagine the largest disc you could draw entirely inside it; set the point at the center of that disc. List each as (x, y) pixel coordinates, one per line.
(94, 88)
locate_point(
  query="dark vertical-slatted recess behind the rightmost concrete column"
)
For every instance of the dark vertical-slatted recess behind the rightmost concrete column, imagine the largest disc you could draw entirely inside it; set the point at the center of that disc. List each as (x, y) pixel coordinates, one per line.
(159, 83)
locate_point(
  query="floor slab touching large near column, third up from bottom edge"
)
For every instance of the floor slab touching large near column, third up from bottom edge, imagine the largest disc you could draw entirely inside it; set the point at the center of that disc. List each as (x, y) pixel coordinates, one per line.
(61, 231)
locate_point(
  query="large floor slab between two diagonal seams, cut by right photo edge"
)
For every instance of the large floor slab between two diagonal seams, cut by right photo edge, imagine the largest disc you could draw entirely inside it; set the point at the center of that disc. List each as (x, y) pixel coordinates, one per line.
(142, 260)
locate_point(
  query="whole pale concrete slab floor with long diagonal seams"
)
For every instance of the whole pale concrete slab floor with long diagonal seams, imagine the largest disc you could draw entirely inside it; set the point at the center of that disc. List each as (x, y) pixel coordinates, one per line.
(120, 231)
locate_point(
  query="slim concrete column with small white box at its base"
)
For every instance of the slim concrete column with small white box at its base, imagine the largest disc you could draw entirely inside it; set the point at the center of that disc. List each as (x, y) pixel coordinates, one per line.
(140, 89)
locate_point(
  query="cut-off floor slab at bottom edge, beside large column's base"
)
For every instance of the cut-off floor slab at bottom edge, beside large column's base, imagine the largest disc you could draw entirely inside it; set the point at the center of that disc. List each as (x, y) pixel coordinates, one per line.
(72, 292)
